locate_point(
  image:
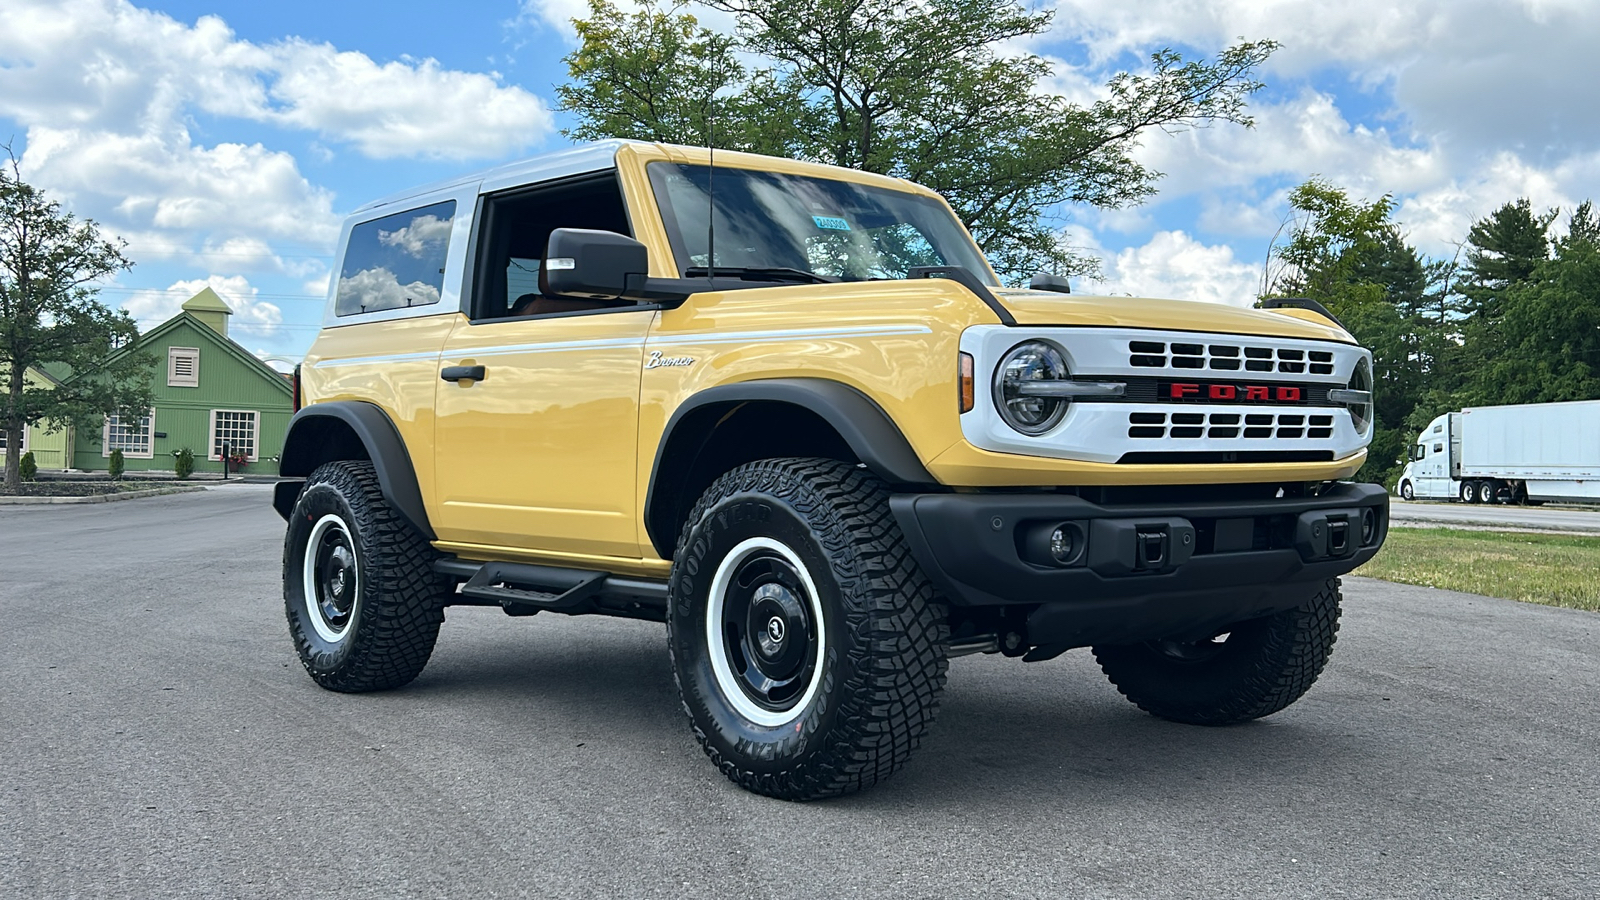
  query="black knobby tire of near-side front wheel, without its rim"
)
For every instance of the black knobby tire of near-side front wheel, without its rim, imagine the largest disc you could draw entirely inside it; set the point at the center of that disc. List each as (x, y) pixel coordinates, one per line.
(884, 669)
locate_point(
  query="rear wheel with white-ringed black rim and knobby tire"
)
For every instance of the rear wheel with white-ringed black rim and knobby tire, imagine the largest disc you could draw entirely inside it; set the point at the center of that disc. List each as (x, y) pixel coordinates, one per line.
(359, 589)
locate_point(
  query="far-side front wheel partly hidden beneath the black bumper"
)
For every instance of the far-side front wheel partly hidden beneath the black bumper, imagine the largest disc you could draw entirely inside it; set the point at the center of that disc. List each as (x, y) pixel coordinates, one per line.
(1250, 672)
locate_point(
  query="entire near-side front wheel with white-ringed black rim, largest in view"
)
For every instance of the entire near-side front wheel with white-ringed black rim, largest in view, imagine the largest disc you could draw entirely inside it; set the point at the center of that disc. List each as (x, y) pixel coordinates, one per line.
(807, 646)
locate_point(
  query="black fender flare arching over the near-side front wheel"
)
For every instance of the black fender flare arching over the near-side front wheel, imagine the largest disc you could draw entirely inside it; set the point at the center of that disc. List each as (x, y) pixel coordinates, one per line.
(870, 433)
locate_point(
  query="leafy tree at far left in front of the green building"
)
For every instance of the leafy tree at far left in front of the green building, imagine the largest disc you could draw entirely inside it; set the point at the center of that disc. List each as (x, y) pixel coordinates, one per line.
(50, 316)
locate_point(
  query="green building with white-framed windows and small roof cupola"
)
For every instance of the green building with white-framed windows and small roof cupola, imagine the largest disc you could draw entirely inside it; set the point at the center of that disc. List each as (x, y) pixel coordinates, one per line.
(210, 395)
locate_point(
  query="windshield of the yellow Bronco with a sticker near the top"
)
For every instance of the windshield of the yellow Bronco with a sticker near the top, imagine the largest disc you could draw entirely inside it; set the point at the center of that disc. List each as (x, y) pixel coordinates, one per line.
(815, 225)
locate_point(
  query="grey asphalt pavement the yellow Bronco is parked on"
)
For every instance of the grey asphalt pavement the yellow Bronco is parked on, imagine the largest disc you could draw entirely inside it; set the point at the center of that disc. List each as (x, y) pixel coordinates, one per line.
(159, 739)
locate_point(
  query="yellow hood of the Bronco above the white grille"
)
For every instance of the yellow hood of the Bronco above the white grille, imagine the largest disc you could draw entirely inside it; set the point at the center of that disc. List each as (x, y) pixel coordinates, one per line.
(1047, 308)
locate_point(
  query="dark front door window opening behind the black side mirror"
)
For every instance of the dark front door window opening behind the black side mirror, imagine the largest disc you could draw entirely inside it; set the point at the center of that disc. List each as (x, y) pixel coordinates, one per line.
(518, 228)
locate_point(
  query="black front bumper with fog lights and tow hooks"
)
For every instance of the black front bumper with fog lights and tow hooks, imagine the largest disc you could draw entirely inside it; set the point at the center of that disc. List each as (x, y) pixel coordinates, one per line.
(1140, 573)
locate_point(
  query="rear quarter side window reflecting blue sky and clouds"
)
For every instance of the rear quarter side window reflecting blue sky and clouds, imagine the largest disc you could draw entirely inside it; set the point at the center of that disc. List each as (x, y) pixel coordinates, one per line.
(396, 262)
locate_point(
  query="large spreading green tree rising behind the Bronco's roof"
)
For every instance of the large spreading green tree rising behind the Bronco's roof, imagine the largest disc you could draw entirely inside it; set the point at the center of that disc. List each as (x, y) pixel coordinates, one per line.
(914, 89)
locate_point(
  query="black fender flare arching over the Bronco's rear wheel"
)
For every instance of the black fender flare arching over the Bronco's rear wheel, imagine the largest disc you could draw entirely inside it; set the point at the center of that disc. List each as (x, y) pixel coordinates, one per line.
(351, 430)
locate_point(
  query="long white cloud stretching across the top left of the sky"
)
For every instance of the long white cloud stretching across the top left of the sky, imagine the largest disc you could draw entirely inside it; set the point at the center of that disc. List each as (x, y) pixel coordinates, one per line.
(106, 65)
